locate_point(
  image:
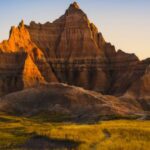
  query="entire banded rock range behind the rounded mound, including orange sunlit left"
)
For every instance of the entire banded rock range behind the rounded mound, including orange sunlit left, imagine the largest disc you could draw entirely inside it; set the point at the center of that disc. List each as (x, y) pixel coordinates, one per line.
(71, 50)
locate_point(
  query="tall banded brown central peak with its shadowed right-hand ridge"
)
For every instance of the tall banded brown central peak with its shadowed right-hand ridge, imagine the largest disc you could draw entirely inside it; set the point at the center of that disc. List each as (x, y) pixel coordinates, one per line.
(80, 56)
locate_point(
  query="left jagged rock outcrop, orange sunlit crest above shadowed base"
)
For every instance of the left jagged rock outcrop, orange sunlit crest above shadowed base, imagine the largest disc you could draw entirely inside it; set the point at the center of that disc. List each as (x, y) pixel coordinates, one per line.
(22, 63)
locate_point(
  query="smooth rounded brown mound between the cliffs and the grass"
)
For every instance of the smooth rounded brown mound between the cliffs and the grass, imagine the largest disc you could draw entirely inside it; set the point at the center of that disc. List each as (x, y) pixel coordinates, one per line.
(63, 99)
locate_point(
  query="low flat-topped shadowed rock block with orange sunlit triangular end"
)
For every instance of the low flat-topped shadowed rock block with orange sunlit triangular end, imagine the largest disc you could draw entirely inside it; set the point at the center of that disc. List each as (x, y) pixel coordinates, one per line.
(18, 71)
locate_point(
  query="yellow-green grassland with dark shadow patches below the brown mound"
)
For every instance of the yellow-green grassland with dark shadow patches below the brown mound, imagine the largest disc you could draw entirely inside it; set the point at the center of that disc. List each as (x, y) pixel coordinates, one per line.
(21, 133)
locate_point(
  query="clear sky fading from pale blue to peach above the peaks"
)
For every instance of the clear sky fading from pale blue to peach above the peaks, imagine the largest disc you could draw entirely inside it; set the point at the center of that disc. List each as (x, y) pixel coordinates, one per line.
(124, 23)
